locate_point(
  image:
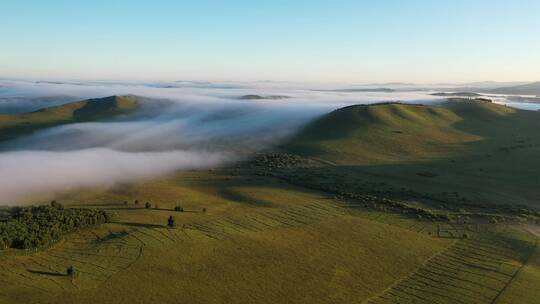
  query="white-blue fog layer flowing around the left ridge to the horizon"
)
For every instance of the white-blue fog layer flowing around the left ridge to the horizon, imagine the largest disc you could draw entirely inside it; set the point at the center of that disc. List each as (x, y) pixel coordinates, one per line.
(179, 125)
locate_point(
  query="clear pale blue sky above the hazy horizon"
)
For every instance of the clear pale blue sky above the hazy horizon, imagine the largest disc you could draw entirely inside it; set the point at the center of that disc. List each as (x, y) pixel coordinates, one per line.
(318, 40)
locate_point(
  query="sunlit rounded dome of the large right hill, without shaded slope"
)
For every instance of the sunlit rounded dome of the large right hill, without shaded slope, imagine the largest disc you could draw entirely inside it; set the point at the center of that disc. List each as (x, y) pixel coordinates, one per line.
(380, 134)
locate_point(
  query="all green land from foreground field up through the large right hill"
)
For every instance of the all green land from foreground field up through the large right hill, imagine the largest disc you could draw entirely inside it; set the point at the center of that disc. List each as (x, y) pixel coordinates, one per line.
(368, 204)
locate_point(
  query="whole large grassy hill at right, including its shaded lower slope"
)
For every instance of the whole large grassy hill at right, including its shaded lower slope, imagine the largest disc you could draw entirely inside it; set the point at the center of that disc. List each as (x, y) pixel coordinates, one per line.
(481, 151)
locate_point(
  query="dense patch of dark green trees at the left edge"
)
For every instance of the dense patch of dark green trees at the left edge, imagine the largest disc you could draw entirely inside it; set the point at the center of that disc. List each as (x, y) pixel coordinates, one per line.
(34, 227)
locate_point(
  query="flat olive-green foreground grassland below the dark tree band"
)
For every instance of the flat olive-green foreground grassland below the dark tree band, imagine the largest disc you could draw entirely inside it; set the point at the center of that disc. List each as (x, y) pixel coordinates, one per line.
(264, 241)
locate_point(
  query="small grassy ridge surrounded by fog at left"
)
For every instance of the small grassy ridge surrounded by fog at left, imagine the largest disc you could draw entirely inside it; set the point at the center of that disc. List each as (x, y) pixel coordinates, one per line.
(13, 125)
